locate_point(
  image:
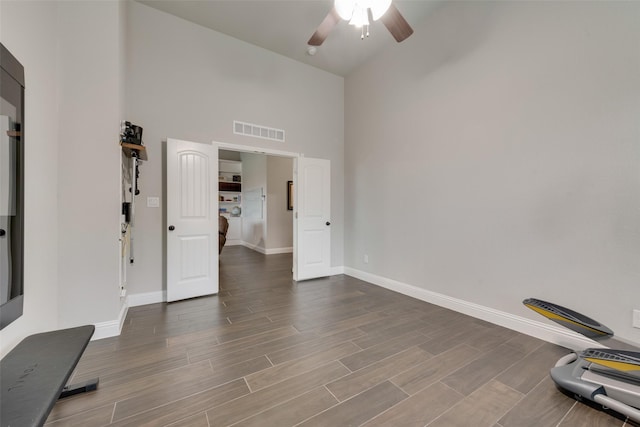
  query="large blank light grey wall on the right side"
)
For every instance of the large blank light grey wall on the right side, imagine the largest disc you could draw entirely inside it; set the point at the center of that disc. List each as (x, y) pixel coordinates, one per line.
(493, 156)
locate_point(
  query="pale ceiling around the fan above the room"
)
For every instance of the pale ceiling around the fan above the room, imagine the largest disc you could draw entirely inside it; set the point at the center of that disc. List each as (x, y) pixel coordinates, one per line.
(284, 26)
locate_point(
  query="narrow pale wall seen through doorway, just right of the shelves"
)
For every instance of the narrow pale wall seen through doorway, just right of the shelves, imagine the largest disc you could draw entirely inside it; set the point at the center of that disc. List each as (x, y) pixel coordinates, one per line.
(254, 177)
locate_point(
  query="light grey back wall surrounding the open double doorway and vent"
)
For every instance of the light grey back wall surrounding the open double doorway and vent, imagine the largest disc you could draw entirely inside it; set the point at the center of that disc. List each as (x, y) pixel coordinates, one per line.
(188, 82)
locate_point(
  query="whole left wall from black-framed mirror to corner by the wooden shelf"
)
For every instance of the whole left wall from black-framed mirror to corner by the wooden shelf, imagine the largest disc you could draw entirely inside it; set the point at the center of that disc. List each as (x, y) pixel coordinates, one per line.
(73, 105)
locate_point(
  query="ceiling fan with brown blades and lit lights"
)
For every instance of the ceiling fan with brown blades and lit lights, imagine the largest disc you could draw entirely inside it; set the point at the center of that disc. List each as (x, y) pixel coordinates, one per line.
(357, 13)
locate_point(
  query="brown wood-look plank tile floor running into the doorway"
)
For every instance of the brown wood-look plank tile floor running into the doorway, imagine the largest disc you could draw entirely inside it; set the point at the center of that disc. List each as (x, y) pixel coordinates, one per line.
(267, 351)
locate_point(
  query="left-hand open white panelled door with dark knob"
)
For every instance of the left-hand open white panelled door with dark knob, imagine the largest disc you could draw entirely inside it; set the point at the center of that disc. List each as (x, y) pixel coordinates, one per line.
(192, 219)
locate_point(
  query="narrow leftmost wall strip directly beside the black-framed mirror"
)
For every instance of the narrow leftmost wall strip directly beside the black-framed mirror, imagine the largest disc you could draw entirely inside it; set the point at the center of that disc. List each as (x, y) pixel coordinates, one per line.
(37, 53)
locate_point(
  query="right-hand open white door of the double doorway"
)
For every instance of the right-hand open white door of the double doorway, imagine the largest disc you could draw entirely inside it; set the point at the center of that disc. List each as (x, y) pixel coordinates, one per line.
(312, 221)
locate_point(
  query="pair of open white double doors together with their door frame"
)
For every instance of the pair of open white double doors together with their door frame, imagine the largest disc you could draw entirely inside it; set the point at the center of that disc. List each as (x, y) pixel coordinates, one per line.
(193, 206)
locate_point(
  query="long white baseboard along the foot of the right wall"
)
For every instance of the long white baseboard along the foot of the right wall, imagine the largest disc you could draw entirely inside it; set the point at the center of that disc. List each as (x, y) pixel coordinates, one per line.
(551, 333)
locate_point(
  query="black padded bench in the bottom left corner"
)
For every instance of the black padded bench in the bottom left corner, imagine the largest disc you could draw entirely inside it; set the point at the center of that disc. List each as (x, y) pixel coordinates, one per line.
(33, 375)
